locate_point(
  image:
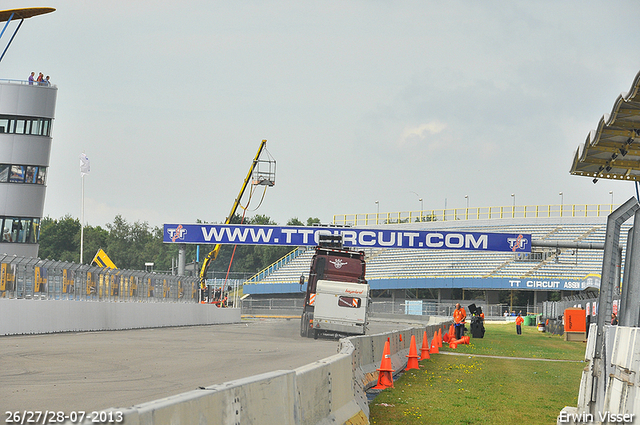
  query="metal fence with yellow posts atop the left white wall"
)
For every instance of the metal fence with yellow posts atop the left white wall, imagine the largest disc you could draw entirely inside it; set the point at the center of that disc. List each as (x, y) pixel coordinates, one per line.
(33, 278)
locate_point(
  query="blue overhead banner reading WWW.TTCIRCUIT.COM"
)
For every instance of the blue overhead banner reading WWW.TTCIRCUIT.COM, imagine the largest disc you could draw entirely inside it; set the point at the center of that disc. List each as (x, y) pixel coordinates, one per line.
(351, 237)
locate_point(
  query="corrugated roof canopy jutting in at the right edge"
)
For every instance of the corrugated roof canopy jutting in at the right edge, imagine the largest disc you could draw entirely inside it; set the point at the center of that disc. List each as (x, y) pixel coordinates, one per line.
(612, 151)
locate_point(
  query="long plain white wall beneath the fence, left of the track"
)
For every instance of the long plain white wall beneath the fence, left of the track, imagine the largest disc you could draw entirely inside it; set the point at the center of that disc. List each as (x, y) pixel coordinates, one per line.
(19, 317)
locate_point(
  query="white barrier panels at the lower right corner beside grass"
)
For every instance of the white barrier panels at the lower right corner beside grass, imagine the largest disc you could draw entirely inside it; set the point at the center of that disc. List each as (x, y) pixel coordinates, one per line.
(620, 402)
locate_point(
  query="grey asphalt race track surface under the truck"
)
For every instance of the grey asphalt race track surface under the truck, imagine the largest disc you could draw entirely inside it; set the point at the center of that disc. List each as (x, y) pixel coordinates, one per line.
(96, 370)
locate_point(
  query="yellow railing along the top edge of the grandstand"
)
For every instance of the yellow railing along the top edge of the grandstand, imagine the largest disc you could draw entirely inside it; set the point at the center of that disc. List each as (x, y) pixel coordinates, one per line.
(478, 213)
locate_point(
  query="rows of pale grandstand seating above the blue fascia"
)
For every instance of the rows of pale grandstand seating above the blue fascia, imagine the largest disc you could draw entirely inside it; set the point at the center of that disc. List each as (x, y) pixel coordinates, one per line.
(553, 263)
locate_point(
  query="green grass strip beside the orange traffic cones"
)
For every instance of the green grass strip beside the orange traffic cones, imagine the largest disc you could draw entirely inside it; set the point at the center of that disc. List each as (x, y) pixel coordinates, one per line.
(471, 389)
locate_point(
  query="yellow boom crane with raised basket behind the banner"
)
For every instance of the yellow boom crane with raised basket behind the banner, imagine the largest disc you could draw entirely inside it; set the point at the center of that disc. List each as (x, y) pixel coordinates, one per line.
(261, 173)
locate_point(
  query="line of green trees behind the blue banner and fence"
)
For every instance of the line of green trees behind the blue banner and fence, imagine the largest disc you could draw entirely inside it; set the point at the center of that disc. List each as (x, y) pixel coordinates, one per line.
(131, 245)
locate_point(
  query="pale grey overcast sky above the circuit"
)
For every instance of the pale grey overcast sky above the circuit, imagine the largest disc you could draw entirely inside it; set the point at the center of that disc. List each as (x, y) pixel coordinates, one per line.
(360, 101)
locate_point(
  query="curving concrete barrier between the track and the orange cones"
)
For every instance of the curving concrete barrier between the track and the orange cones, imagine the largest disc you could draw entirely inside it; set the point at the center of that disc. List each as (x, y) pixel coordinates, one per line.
(329, 391)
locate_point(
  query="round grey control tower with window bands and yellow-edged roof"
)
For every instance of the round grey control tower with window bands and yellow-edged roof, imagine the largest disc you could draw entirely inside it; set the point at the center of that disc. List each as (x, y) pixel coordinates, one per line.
(27, 111)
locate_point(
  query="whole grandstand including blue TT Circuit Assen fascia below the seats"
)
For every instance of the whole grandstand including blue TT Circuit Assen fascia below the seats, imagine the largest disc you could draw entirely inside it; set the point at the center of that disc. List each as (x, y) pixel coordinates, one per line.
(433, 268)
